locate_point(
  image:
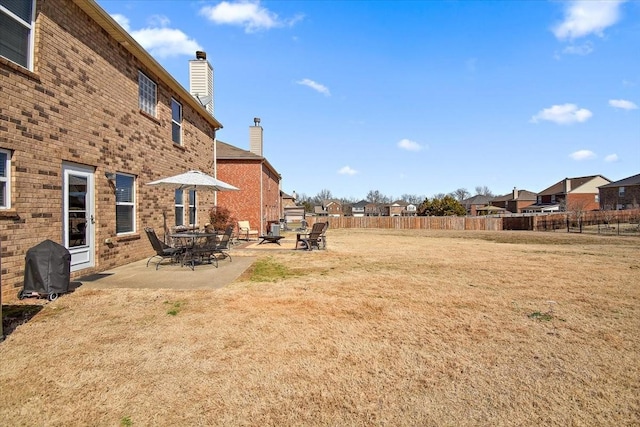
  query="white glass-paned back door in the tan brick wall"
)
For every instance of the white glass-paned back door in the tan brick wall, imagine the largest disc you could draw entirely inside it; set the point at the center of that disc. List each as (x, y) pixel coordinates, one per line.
(78, 221)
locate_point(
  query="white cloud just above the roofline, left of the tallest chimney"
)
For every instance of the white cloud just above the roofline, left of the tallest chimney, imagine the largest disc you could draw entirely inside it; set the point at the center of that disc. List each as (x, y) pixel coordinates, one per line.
(165, 42)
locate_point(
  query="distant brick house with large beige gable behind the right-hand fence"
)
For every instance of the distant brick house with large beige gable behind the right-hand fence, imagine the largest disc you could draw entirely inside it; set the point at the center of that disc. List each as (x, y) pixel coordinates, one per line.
(570, 194)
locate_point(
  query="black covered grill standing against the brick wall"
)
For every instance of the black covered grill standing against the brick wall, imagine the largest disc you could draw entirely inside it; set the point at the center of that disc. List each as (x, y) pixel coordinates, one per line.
(47, 268)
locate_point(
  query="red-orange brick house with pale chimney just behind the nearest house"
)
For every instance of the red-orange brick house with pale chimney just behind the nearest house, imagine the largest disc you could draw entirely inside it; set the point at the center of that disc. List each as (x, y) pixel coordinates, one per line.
(258, 200)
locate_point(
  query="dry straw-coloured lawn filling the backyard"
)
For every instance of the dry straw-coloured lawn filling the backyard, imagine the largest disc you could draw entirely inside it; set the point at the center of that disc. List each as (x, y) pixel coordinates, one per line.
(387, 327)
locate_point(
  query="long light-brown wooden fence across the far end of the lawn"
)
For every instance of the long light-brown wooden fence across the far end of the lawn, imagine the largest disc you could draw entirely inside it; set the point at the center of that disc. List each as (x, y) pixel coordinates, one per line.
(413, 222)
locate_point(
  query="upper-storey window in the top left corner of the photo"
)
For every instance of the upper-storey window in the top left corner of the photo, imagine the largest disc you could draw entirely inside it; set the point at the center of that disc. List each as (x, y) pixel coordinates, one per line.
(16, 31)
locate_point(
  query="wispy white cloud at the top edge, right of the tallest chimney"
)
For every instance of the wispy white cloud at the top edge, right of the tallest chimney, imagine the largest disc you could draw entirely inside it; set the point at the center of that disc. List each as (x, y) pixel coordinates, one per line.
(248, 14)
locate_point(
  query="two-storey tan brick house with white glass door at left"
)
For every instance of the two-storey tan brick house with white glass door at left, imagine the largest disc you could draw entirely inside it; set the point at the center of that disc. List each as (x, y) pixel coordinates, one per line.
(87, 119)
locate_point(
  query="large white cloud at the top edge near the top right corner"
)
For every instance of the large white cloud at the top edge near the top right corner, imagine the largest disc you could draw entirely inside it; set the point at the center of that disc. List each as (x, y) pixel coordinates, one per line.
(584, 17)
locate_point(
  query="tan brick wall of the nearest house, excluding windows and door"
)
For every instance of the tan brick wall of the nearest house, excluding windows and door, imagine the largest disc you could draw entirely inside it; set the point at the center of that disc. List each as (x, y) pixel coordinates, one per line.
(80, 105)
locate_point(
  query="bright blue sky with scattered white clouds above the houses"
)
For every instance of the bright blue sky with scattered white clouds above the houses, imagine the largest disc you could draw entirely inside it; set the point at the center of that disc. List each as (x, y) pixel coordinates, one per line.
(414, 97)
